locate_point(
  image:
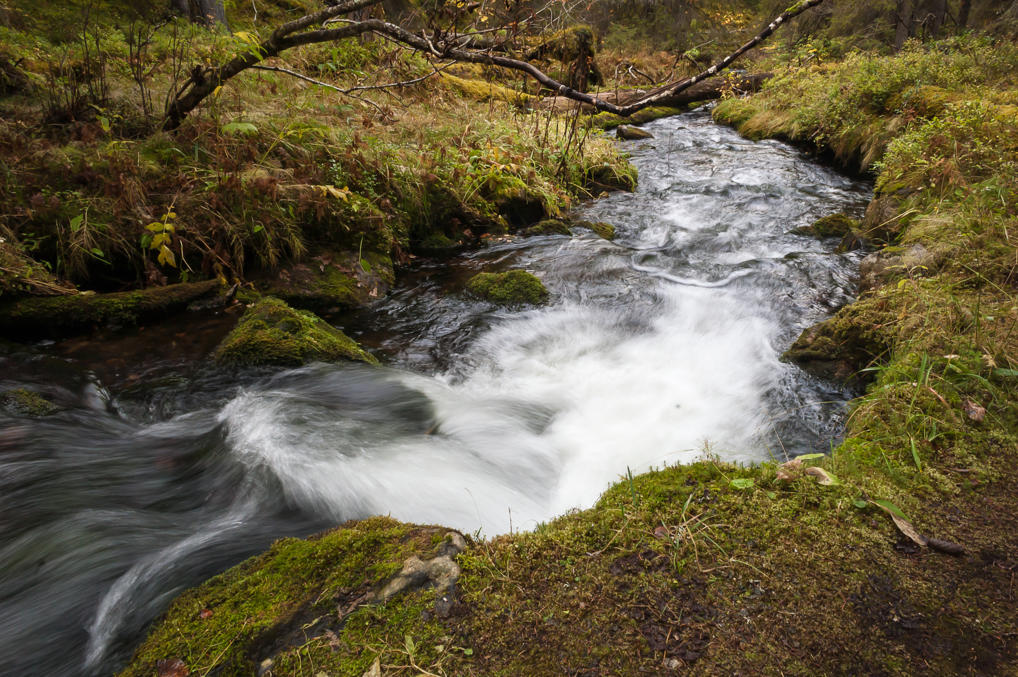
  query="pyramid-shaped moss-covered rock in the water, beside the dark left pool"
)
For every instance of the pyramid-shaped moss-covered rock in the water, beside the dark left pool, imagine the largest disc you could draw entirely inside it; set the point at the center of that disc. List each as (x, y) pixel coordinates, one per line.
(272, 333)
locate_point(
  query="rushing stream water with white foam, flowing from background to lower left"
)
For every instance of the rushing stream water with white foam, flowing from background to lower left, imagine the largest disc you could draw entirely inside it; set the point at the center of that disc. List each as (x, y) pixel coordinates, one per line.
(161, 471)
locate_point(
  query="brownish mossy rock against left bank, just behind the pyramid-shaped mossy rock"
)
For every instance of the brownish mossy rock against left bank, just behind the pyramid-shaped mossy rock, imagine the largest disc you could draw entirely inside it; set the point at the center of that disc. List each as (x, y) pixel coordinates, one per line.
(333, 281)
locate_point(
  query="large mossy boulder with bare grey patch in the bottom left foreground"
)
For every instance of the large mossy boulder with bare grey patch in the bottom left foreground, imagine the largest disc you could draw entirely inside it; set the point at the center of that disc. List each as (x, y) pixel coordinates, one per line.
(266, 613)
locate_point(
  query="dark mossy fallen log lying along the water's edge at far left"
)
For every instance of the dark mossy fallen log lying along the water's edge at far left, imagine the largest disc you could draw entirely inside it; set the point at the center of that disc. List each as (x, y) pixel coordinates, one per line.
(58, 317)
